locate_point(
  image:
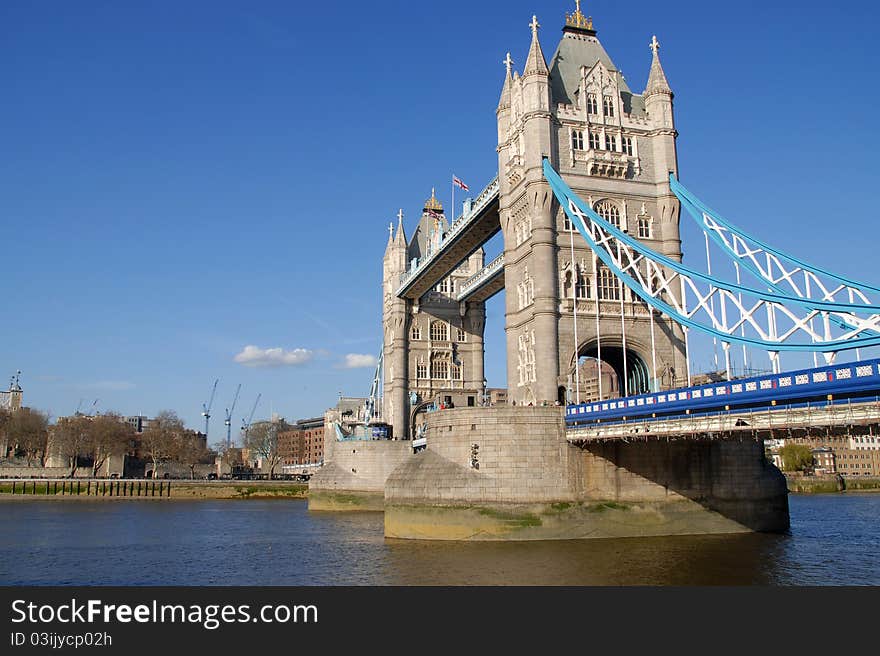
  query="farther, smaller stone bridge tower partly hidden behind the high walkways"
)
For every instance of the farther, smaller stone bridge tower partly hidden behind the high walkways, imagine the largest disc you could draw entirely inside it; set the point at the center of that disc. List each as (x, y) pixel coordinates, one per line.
(433, 348)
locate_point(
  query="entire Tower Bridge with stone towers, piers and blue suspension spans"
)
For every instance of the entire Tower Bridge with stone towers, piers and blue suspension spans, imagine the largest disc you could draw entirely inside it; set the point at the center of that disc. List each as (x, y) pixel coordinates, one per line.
(600, 314)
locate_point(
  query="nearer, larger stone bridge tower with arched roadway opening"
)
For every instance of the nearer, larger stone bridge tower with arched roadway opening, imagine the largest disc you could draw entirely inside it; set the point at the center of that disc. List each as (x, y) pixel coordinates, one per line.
(616, 149)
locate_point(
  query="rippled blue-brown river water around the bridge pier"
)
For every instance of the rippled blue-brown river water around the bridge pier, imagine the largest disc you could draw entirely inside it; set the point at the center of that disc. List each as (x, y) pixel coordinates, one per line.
(833, 541)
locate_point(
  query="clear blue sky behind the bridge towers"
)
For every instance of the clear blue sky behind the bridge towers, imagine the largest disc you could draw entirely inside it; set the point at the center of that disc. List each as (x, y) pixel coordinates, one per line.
(180, 180)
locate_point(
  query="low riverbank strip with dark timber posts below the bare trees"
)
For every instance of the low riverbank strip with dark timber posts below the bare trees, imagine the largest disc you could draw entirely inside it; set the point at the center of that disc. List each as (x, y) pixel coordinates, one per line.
(150, 489)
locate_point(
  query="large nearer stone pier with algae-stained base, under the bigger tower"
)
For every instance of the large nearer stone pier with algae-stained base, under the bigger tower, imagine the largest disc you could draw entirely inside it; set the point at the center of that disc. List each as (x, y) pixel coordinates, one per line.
(508, 473)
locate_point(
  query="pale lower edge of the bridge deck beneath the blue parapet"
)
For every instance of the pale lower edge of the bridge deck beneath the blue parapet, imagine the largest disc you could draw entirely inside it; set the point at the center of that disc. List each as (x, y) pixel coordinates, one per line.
(760, 423)
